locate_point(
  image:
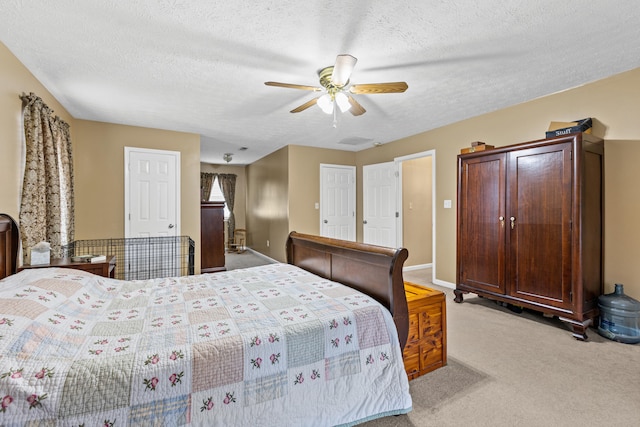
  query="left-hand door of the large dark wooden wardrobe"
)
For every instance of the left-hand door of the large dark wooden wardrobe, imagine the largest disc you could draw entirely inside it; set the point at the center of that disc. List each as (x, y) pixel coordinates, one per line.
(481, 223)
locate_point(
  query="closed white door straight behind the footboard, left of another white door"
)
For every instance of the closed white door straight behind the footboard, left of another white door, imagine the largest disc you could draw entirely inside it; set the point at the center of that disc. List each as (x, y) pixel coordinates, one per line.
(338, 202)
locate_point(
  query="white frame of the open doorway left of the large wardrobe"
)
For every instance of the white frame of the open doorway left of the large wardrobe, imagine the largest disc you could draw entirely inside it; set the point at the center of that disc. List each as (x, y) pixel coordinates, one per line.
(399, 228)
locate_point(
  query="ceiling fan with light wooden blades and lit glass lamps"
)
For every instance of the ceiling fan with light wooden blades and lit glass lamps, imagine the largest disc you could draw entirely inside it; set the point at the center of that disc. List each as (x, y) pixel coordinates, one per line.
(335, 83)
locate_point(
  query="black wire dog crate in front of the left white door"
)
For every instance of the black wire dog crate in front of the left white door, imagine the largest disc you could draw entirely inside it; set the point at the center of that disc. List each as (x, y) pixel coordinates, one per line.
(140, 258)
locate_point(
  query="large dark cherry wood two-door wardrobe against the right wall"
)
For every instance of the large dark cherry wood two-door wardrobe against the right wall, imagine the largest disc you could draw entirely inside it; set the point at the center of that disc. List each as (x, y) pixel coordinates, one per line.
(530, 226)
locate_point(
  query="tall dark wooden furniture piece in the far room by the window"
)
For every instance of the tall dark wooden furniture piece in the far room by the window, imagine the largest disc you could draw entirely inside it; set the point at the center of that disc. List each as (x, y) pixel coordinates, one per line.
(212, 237)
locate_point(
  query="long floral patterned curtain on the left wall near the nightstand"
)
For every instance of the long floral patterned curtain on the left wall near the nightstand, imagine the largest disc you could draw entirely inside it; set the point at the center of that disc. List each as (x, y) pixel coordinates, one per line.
(47, 203)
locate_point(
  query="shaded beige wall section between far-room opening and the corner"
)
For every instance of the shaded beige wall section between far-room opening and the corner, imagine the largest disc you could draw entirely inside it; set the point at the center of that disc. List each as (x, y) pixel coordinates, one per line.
(268, 204)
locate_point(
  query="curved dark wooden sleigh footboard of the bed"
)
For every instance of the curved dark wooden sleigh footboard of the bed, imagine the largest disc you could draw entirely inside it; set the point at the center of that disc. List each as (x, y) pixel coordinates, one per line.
(373, 270)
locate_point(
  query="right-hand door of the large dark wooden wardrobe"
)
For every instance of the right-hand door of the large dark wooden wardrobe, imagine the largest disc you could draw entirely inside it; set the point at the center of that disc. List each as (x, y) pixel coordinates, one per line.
(539, 182)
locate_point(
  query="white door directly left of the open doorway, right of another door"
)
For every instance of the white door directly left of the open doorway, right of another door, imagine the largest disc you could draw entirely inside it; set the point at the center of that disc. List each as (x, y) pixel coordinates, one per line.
(379, 216)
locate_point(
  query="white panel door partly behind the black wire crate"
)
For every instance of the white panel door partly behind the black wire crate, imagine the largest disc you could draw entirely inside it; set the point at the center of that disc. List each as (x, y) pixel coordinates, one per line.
(152, 213)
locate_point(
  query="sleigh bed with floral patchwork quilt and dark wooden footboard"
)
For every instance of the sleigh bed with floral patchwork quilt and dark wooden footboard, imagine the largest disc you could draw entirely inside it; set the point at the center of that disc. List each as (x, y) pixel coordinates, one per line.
(314, 341)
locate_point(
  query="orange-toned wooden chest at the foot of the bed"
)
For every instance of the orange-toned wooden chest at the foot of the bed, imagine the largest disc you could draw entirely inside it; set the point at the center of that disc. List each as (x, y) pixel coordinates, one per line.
(426, 348)
